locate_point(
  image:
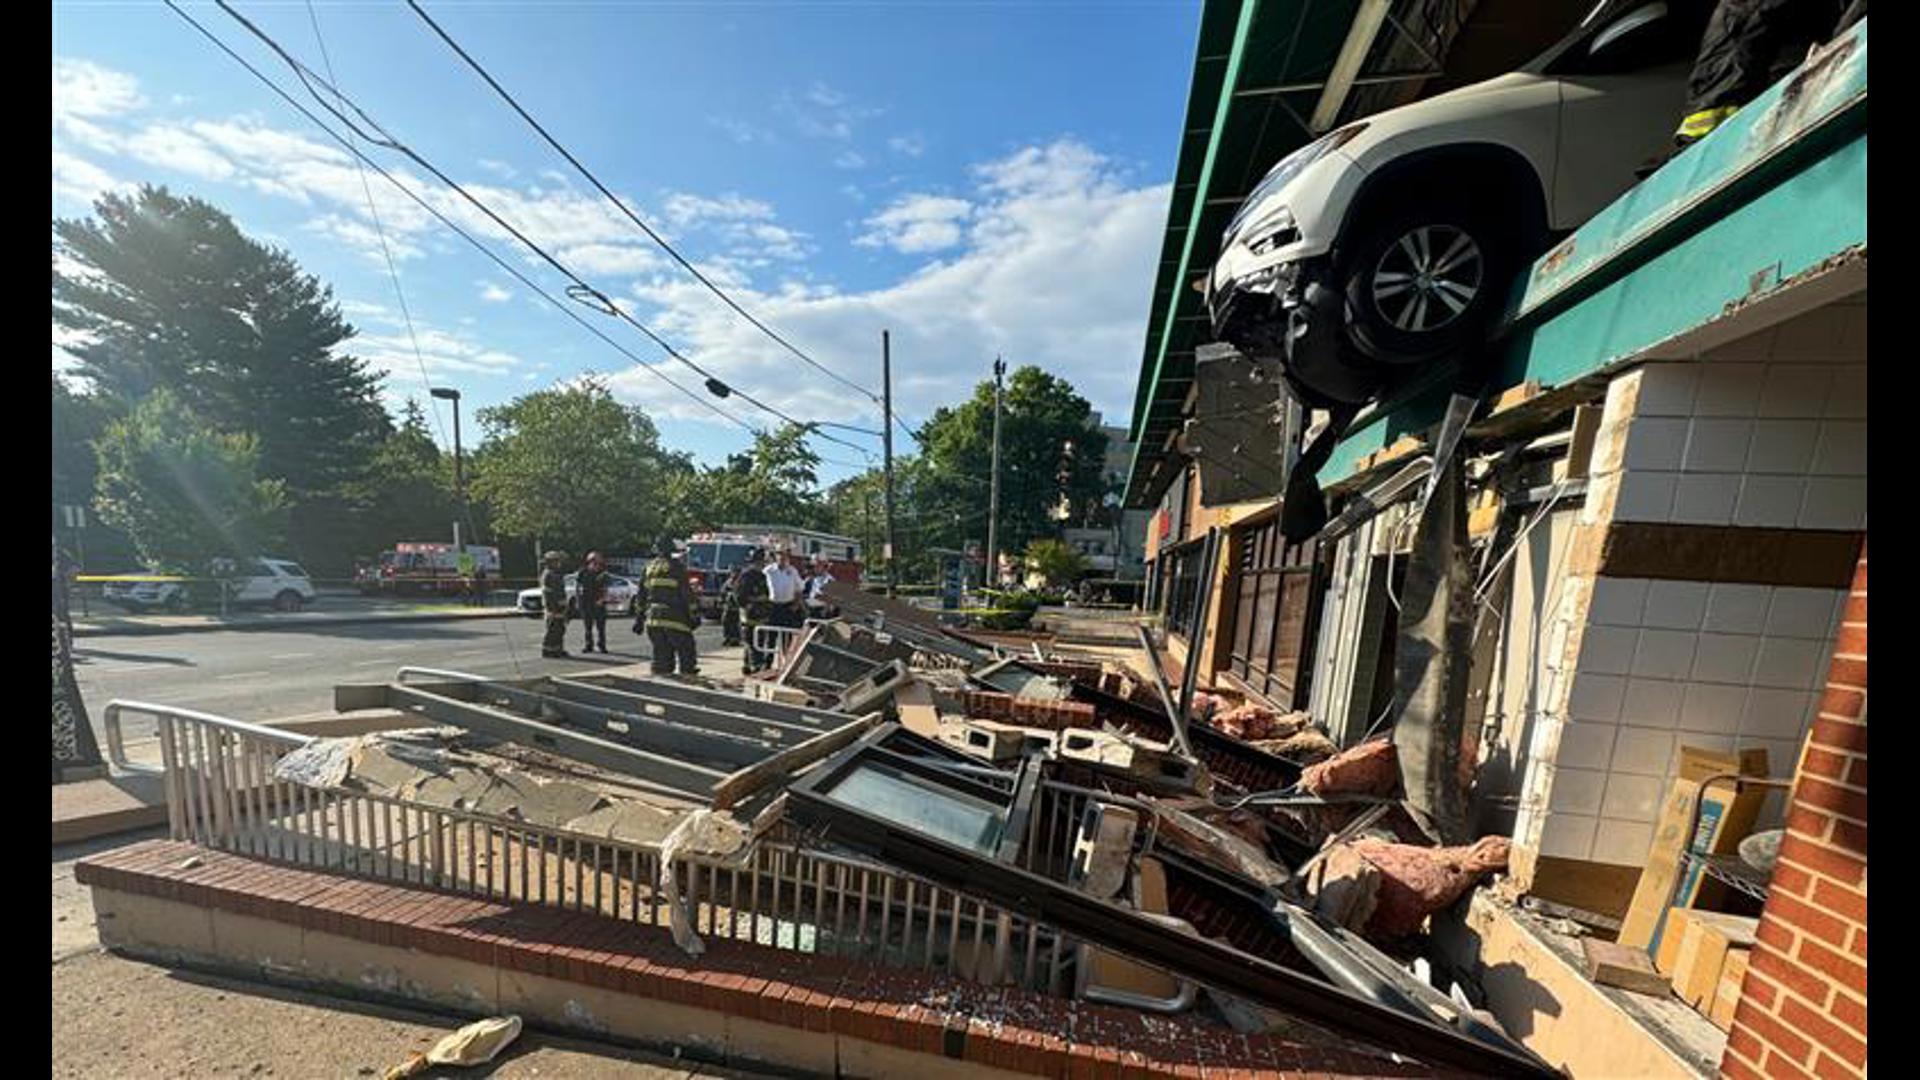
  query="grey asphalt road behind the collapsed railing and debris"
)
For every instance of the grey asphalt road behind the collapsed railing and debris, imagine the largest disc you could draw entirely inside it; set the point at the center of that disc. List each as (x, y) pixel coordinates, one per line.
(262, 675)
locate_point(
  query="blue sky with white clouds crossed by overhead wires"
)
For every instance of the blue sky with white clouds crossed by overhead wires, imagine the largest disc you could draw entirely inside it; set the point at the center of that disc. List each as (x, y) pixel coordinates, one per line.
(976, 178)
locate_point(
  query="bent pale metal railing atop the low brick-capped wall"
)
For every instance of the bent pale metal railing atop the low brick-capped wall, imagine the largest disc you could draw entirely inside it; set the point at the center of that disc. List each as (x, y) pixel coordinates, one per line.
(782, 893)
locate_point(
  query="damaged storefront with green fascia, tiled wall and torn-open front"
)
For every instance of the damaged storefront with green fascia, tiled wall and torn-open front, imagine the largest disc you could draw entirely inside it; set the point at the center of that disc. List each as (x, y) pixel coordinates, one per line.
(1600, 587)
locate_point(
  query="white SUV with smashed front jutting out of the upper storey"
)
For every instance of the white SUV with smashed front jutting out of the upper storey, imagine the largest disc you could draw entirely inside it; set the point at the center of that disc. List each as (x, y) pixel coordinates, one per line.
(1395, 241)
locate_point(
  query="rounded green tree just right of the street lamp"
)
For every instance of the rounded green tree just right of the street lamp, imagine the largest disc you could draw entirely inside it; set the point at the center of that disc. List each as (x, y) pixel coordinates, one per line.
(575, 470)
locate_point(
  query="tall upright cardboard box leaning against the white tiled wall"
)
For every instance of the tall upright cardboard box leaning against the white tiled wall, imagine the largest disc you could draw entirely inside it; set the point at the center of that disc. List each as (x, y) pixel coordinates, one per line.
(1725, 820)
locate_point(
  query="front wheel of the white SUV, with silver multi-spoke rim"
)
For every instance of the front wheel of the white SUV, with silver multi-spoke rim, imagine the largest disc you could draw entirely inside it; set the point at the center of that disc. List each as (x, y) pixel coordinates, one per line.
(1426, 282)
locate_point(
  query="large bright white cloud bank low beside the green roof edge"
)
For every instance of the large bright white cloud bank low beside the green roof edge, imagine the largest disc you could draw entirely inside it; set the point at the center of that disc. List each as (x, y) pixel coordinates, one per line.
(1057, 272)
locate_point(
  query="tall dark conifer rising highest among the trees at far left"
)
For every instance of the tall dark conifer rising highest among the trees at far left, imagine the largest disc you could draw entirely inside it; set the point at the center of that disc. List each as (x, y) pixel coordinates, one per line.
(168, 293)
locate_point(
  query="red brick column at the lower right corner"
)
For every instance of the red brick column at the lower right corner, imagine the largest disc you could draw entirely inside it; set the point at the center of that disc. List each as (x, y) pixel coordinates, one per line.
(1804, 1006)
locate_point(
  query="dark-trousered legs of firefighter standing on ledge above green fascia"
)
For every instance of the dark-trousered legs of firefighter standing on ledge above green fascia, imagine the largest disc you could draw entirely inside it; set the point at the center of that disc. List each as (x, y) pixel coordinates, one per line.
(1748, 47)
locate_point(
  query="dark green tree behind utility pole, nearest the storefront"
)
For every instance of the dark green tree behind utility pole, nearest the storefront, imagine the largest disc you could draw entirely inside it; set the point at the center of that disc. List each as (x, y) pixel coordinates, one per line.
(1051, 460)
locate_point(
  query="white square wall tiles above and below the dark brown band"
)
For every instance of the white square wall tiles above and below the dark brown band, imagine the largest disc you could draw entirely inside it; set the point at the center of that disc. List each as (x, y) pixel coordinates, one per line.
(1765, 431)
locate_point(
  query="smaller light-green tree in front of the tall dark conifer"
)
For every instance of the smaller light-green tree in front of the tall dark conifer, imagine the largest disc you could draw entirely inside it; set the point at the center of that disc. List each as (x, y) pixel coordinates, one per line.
(183, 491)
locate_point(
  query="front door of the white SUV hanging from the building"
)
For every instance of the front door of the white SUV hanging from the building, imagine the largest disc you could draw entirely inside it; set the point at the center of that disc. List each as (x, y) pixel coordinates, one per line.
(1623, 89)
